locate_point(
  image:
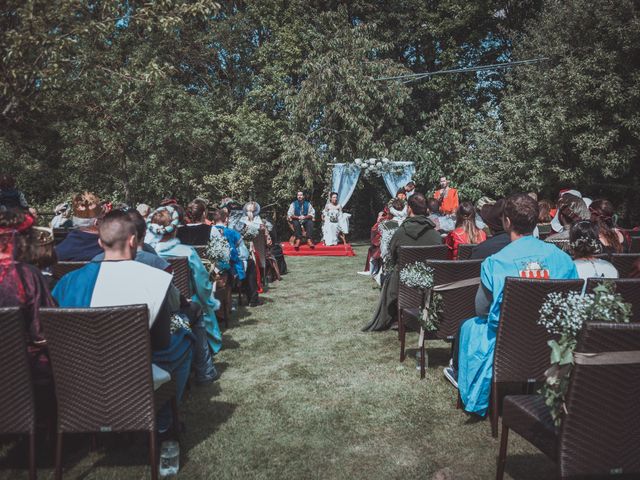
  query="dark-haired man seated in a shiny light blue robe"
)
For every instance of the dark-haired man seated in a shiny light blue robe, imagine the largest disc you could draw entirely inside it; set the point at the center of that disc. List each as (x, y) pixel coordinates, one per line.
(525, 256)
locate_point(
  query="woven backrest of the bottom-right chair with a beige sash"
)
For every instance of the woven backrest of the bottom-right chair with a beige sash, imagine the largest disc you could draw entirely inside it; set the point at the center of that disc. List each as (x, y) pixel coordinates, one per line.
(600, 434)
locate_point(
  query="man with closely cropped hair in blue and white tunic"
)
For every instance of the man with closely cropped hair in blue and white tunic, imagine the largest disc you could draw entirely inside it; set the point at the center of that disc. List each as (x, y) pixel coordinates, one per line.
(119, 280)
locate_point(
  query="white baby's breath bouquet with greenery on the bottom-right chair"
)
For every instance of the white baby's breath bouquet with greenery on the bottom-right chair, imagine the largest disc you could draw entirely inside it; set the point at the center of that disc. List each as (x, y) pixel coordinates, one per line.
(563, 314)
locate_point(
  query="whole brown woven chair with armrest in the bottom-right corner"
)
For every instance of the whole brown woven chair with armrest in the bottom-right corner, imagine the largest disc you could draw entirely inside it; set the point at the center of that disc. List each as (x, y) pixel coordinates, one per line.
(600, 433)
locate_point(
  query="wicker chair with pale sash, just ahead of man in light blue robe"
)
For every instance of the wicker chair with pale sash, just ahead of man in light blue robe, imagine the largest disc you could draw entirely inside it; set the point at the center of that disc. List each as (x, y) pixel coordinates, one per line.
(458, 298)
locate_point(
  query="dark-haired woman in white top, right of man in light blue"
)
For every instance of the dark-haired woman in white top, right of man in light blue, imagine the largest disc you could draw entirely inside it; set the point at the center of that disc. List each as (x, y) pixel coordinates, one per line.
(584, 245)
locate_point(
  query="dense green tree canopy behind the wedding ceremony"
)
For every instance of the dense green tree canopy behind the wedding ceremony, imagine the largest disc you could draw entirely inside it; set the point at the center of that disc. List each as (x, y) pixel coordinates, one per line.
(139, 100)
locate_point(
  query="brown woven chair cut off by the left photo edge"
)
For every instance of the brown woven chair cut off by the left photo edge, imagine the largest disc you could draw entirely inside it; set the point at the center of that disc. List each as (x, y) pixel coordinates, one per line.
(17, 415)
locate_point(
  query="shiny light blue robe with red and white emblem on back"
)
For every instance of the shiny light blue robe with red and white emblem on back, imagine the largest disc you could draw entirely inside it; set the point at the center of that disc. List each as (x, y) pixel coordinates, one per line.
(526, 257)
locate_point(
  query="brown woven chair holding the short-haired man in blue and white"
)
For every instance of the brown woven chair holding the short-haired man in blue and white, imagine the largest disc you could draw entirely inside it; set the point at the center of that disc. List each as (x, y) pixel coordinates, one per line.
(101, 363)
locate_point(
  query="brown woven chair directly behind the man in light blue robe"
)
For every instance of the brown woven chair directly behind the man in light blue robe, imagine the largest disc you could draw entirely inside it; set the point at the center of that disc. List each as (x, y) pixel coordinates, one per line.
(521, 352)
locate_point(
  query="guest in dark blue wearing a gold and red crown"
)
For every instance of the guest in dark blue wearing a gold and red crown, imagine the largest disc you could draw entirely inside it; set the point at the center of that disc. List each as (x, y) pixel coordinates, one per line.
(81, 244)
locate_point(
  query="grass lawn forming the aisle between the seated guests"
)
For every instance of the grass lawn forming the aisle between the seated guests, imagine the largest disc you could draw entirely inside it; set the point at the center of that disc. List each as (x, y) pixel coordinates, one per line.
(305, 394)
